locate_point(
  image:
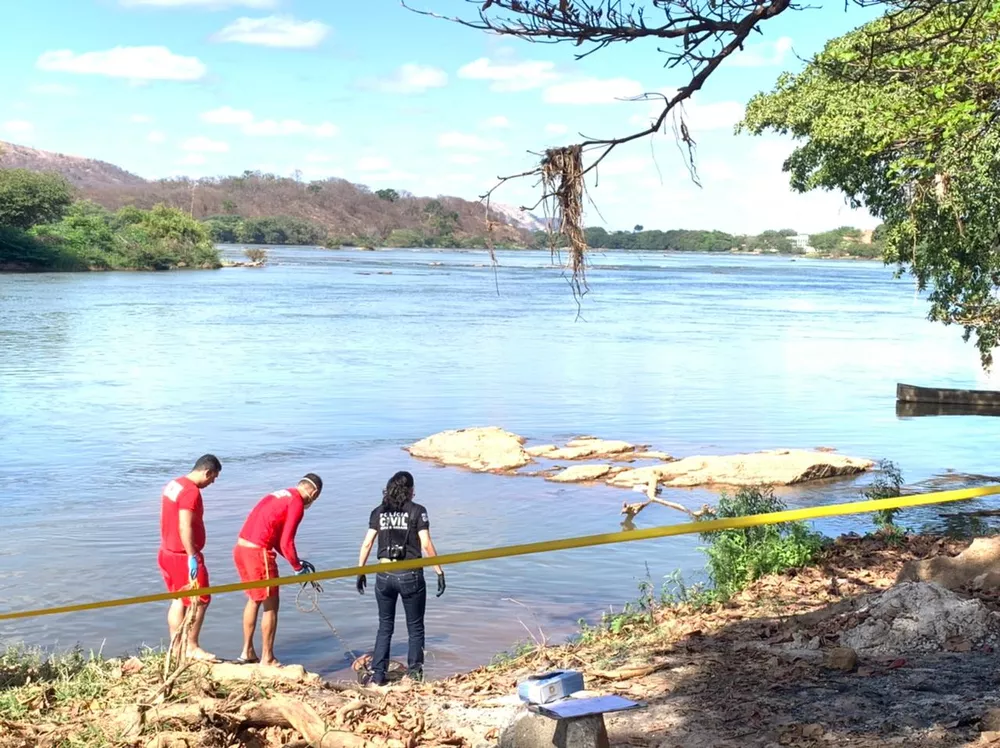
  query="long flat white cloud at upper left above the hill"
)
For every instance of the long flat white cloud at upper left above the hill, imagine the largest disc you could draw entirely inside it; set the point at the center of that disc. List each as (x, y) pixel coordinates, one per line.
(133, 63)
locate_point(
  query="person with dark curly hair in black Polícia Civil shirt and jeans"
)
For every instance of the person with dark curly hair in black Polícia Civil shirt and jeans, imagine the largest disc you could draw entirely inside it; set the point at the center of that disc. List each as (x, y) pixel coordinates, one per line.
(403, 532)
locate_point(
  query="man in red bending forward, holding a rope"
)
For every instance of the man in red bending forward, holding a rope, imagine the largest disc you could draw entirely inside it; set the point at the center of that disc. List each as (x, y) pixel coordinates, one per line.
(271, 527)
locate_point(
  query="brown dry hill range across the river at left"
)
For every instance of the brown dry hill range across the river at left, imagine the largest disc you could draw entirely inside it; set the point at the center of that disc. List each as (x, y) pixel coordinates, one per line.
(340, 209)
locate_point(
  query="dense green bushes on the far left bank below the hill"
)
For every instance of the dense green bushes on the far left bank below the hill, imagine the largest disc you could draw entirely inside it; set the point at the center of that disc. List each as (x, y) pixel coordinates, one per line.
(42, 227)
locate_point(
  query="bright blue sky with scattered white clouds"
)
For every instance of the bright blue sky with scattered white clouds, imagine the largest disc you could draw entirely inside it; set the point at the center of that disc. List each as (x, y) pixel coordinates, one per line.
(381, 96)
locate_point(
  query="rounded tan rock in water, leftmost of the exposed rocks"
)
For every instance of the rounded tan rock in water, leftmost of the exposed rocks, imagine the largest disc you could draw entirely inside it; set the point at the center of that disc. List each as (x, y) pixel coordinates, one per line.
(485, 450)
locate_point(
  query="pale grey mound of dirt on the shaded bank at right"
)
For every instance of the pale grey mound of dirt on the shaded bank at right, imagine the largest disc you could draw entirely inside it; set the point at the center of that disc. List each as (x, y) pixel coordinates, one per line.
(918, 617)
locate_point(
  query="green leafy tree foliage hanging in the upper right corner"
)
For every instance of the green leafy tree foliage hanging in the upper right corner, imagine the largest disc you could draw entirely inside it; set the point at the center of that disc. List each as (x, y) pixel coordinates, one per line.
(901, 116)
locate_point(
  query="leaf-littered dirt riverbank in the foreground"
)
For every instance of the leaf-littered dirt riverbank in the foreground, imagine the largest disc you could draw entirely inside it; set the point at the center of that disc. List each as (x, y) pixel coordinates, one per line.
(765, 668)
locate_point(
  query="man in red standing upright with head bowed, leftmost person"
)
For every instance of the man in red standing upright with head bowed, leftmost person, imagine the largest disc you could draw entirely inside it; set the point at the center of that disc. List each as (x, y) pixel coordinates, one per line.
(182, 539)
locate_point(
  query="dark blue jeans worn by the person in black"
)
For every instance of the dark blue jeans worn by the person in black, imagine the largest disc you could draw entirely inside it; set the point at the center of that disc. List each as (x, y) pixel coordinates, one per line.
(410, 586)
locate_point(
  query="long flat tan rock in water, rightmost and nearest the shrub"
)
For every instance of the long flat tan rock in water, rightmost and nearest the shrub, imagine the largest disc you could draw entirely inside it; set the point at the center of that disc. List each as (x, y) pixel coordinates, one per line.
(782, 467)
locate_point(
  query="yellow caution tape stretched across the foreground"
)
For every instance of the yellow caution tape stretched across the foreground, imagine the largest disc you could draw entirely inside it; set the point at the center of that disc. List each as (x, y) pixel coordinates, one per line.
(546, 546)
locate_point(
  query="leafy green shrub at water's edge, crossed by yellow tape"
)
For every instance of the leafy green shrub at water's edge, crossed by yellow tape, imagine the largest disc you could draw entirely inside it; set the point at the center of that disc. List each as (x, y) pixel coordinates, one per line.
(737, 557)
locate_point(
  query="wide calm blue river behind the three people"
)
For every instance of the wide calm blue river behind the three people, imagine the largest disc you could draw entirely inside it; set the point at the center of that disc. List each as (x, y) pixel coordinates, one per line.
(113, 383)
